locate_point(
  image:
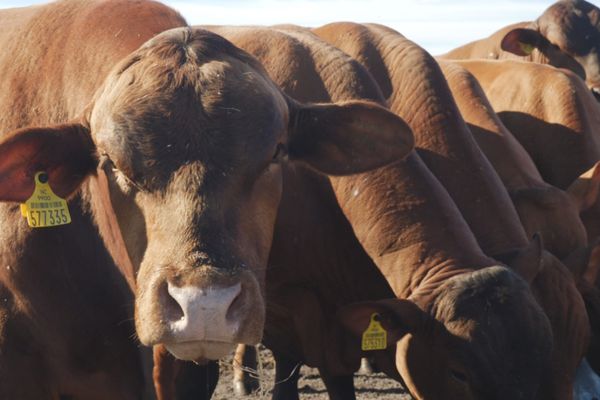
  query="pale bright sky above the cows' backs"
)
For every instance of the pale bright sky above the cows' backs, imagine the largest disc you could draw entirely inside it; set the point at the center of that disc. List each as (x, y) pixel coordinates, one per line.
(436, 25)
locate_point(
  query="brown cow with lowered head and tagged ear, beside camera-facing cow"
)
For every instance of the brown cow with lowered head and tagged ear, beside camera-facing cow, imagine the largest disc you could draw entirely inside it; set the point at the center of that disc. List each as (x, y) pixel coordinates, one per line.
(419, 241)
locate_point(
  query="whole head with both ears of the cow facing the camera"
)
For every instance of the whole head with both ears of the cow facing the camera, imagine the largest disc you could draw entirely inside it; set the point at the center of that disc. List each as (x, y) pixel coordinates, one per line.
(188, 134)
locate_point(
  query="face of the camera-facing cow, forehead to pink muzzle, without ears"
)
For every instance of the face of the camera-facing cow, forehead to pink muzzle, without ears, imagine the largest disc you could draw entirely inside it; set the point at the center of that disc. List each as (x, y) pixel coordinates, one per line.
(192, 156)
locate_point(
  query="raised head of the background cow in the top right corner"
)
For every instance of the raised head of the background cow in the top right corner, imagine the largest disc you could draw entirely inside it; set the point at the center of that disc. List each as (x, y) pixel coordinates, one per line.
(566, 35)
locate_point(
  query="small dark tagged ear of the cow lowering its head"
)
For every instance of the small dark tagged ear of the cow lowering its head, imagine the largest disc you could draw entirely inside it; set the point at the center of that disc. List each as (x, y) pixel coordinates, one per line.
(397, 316)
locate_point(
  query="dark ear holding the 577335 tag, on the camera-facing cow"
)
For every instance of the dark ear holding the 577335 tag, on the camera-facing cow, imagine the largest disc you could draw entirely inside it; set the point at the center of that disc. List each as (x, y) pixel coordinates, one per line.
(65, 152)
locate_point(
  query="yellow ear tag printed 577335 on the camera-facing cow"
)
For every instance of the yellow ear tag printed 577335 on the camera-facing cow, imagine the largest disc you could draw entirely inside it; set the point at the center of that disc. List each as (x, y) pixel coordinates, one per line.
(44, 208)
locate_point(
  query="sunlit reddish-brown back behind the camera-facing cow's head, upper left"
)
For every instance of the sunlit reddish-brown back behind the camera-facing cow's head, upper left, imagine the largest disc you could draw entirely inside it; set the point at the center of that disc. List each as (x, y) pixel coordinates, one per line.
(55, 56)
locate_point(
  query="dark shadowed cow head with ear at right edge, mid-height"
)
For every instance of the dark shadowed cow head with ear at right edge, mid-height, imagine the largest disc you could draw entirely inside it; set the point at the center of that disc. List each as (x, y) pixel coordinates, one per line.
(554, 213)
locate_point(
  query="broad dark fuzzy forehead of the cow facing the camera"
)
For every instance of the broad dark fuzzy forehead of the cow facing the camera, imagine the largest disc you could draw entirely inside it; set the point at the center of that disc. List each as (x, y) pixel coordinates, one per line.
(161, 113)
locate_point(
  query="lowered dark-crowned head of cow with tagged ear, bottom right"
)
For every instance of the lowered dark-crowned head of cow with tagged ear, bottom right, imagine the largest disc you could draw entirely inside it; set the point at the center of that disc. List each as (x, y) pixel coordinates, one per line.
(482, 337)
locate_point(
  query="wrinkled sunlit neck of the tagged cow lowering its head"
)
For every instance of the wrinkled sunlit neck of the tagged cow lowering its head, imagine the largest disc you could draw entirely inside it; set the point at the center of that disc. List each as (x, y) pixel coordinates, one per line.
(409, 226)
